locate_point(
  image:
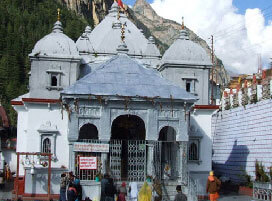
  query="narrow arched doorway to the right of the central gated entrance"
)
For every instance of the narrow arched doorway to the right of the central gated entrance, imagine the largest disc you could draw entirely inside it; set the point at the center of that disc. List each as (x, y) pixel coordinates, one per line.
(167, 138)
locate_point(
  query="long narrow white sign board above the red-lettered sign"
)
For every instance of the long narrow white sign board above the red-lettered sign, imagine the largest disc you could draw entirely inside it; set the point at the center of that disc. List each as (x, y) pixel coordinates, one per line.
(89, 147)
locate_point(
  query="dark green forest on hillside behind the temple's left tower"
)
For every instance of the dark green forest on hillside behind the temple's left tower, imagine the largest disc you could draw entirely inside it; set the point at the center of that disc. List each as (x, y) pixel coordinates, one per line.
(23, 23)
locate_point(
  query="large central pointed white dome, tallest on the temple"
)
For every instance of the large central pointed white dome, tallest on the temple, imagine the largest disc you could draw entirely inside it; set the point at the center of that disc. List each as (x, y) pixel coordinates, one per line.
(105, 37)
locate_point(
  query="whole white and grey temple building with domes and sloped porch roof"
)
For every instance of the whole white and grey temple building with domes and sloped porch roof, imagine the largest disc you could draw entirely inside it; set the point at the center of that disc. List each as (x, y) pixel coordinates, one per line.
(113, 101)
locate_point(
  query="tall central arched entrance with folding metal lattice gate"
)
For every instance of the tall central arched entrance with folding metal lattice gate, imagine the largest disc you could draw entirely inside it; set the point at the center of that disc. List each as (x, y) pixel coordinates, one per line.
(128, 143)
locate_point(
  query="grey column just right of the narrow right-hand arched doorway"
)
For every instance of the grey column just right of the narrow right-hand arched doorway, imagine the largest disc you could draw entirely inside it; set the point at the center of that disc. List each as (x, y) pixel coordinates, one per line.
(183, 169)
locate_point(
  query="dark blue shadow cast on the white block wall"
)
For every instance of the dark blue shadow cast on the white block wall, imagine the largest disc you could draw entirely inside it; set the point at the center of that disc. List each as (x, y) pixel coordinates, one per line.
(235, 166)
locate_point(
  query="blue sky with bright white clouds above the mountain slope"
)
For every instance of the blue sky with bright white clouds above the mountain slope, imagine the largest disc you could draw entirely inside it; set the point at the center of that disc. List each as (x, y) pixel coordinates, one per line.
(242, 29)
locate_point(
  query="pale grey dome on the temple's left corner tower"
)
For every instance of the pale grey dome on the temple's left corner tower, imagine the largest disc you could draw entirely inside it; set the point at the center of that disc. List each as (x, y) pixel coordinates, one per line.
(55, 44)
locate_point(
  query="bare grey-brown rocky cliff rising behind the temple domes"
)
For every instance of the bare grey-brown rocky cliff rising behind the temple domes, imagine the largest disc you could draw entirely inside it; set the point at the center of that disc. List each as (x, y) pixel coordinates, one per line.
(142, 14)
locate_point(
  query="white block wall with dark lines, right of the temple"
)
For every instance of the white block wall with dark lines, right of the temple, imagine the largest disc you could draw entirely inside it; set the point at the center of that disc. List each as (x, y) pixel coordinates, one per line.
(241, 136)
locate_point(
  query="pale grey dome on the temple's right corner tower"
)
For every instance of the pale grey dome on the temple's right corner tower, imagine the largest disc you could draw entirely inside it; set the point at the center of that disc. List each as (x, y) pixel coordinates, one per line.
(185, 51)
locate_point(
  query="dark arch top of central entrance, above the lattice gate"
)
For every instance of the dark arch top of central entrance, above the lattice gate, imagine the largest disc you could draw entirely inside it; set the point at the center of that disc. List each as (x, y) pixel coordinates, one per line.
(128, 127)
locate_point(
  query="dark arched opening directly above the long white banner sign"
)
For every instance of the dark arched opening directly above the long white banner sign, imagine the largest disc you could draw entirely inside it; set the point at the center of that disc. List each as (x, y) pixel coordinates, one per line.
(88, 131)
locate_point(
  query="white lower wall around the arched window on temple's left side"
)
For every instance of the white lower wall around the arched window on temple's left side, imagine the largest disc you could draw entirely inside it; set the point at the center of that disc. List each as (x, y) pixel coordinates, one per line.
(28, 137)
